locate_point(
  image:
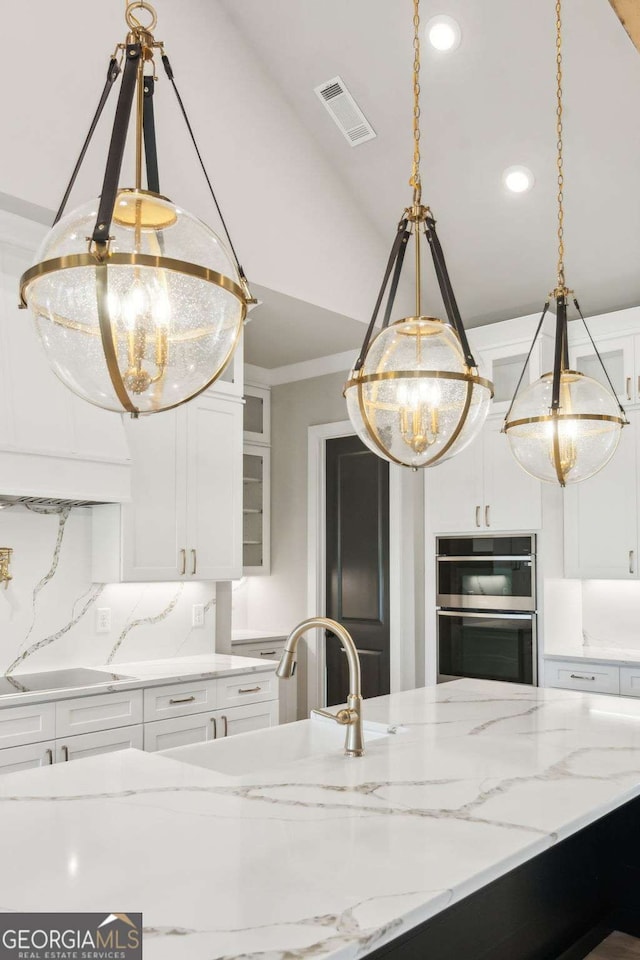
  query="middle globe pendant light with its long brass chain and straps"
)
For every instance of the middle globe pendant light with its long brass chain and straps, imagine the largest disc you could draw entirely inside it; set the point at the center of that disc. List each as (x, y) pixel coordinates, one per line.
(414, 395)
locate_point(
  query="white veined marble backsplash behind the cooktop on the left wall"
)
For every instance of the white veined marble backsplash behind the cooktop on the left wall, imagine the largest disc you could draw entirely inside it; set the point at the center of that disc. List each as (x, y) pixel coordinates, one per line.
(48, 612)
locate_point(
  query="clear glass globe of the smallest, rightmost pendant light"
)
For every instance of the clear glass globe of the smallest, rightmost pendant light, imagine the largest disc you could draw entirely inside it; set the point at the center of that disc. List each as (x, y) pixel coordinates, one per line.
(572, 446)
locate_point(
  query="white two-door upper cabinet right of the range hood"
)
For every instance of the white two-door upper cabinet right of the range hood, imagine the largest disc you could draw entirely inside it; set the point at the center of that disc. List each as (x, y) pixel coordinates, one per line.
(185, 520)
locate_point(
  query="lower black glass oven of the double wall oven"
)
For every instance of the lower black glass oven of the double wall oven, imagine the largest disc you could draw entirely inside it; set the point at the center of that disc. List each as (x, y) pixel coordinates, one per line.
(487, 646)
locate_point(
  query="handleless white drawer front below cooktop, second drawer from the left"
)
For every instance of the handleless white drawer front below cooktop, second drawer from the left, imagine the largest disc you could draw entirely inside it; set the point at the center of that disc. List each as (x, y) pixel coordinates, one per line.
(103, 712)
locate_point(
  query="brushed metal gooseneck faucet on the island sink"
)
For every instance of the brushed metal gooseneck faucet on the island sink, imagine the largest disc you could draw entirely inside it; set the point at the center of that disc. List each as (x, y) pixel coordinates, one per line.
(351, 716)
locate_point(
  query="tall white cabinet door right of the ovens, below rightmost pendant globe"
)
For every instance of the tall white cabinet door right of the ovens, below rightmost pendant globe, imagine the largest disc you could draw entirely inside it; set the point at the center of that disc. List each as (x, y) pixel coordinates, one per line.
(601, 516)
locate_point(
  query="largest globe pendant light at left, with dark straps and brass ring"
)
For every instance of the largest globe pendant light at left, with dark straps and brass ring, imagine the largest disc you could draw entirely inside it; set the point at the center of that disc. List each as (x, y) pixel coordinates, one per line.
(138, 304)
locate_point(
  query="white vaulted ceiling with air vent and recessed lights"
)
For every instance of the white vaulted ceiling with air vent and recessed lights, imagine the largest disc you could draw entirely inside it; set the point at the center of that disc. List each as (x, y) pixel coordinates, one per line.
(312, 217)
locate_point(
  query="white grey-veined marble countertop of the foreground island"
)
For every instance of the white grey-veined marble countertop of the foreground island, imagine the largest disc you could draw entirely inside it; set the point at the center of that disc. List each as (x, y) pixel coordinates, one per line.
(325, 857)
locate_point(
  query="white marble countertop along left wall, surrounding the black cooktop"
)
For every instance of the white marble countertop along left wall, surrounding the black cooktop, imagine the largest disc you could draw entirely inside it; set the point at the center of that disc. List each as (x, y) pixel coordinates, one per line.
(146, 673)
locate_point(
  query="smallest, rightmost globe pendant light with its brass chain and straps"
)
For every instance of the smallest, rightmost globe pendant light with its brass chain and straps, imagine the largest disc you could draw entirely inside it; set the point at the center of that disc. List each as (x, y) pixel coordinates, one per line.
(566, 426)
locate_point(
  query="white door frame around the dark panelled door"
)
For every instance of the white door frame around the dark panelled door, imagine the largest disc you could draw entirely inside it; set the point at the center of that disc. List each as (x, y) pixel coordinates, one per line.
(405, 548)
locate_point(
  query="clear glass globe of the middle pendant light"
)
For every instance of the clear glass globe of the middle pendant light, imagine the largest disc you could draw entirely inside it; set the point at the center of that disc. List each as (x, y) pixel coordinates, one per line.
(414, 401)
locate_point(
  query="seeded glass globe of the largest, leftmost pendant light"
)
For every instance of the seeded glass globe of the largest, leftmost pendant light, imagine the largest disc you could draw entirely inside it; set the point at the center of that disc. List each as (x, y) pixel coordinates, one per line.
(173, 331)
